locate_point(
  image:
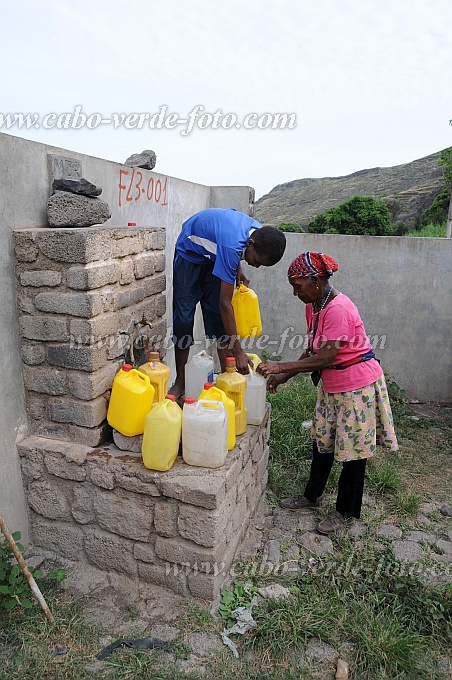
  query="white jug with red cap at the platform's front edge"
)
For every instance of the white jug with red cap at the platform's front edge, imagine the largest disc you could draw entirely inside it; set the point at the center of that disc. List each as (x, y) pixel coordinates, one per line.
(204, 433)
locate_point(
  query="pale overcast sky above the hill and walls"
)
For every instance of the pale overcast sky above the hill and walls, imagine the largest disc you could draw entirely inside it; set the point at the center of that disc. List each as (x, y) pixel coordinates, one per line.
(369, 82)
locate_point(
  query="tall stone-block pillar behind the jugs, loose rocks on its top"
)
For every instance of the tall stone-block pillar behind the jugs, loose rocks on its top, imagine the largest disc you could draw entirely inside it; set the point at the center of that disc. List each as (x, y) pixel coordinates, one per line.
(77, 290)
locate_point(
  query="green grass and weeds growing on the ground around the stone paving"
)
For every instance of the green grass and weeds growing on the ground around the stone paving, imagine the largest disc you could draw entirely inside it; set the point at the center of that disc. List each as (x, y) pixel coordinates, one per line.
(395, 624)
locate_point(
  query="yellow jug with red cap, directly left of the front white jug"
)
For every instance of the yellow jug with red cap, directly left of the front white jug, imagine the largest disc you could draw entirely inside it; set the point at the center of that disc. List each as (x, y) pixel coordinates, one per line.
(162, 433)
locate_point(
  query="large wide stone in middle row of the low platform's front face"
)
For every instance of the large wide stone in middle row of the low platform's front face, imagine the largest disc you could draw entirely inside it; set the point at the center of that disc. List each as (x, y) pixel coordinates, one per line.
(126, 514)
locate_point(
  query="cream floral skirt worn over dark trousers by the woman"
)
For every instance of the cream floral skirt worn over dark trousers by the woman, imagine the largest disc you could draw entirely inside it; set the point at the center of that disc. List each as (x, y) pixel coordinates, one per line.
(350, 424)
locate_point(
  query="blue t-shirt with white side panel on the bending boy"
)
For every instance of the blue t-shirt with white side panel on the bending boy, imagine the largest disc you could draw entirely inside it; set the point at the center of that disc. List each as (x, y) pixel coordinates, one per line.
(219, 235)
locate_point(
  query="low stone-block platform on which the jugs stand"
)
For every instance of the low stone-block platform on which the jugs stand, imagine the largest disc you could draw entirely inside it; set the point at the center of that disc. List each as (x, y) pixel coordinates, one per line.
(179, 529)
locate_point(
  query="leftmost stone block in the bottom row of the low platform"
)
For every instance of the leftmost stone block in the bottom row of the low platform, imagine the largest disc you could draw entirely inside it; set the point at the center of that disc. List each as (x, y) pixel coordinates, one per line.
(63, 539)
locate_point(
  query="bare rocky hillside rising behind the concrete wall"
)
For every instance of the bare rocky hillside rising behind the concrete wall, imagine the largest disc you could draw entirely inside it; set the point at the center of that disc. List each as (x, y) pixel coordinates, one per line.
(409, 188)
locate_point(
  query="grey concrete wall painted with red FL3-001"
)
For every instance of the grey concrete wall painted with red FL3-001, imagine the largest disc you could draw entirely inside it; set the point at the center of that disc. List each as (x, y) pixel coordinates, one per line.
(147, 198)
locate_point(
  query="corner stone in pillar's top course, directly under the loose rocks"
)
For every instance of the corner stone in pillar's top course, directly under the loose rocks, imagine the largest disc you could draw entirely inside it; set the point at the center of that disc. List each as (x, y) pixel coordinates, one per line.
(78, 246)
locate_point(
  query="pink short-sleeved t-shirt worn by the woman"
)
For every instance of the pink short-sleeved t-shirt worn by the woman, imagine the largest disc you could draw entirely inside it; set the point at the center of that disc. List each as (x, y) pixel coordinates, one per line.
(340, 321)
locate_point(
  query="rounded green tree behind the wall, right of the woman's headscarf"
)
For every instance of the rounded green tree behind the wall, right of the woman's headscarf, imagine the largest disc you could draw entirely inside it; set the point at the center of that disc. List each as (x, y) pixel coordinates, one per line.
(361, 215)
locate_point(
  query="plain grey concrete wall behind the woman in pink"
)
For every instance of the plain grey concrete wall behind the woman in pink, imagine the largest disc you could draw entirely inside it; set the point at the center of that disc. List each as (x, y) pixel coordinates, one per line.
(403, 290)
